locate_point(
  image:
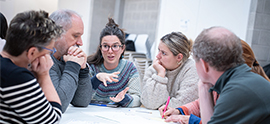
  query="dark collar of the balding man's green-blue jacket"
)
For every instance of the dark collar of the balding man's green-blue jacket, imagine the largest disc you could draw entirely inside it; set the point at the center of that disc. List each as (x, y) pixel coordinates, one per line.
(227, 75)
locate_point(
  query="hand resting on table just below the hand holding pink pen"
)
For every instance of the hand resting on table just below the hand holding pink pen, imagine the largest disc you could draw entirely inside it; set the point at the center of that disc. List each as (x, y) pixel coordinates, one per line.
(182, 119)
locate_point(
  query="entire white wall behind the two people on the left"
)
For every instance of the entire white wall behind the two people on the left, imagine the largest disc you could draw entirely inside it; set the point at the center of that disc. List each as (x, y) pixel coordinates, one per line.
(84, 7)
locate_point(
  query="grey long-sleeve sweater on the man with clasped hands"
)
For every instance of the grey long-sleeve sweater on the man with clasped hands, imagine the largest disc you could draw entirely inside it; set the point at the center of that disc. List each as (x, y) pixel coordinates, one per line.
(72, 83)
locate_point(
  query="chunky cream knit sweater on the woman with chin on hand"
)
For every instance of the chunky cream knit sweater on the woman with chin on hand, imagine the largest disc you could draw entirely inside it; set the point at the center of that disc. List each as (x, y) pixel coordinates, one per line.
(180, 84)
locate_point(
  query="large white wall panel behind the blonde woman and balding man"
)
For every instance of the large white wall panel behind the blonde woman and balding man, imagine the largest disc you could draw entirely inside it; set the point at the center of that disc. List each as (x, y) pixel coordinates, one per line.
(192, 16)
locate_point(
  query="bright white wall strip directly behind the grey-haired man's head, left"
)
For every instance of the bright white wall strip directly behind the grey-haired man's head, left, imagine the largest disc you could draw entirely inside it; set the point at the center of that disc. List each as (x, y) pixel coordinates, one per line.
(84, 9)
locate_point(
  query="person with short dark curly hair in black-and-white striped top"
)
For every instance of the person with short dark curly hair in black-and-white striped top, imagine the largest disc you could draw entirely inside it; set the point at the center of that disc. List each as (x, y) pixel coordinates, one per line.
(27, 94)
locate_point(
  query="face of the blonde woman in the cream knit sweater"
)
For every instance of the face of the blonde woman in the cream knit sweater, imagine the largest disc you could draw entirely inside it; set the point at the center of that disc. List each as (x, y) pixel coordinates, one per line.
(166, 57)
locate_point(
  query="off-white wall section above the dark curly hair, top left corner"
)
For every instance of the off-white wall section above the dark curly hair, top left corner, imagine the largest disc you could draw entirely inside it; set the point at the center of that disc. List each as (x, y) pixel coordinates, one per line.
(11, 7)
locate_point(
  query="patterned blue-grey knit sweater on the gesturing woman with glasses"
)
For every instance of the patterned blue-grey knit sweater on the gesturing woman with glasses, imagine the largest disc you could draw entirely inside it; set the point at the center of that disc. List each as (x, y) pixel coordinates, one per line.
(128, 77)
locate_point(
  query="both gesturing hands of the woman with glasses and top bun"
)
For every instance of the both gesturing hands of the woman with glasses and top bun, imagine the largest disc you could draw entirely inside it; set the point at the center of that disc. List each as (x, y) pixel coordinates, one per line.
(111, 77)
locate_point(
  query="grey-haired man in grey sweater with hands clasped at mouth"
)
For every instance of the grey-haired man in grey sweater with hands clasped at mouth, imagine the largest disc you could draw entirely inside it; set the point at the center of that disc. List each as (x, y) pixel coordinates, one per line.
(69, 73)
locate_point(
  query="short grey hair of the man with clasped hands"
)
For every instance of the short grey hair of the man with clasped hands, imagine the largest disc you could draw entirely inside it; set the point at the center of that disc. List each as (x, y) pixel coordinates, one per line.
(63, 18)
